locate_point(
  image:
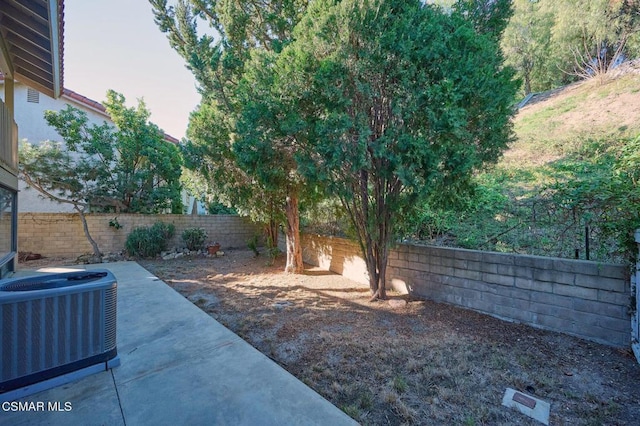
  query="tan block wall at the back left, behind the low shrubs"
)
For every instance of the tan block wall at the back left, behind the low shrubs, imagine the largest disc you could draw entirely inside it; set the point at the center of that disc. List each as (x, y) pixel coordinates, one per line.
(61, 234)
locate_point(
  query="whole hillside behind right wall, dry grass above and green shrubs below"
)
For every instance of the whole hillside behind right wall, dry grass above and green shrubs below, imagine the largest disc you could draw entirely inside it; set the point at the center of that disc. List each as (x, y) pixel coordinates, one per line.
(565, 186)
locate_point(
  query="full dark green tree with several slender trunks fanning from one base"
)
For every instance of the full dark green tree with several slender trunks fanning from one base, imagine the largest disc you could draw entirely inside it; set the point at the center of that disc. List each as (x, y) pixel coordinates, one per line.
(395, 102)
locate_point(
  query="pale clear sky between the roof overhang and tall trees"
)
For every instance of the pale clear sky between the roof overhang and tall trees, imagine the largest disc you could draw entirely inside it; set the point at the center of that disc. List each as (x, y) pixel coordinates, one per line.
(115, 44)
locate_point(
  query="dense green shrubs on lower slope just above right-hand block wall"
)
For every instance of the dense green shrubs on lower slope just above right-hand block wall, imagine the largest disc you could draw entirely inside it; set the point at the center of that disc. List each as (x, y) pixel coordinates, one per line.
(591, 191)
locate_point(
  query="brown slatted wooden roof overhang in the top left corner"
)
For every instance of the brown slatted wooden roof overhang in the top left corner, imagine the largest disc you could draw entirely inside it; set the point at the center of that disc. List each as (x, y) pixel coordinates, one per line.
(31, 43)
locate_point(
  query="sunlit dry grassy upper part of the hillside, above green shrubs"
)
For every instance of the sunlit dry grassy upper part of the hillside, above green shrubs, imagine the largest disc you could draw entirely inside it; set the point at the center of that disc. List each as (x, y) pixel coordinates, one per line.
(552, 123)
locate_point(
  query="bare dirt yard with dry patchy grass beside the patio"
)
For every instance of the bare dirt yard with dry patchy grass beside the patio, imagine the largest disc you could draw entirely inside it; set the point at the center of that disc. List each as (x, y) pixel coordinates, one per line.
(419, 363)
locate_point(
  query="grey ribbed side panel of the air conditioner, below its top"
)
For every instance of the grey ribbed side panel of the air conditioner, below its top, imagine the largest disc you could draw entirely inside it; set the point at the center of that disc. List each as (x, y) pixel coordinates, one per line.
(48, 335)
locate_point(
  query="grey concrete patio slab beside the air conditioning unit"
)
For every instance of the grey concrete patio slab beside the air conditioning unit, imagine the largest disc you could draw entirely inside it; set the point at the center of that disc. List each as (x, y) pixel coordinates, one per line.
(178, 367)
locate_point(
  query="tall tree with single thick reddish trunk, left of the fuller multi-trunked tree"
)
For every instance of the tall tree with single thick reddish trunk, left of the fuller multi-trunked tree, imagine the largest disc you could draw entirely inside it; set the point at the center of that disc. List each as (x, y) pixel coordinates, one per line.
(230, 171)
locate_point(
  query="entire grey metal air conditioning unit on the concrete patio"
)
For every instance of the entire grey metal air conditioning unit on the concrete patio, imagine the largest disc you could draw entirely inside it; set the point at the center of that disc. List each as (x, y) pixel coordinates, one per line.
(53, 325)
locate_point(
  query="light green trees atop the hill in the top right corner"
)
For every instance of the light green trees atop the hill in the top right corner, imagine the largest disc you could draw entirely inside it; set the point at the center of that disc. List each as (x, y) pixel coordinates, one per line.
(554, 43)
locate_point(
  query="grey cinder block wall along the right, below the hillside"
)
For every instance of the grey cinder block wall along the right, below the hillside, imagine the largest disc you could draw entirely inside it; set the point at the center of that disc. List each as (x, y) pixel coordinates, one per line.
(585, 299)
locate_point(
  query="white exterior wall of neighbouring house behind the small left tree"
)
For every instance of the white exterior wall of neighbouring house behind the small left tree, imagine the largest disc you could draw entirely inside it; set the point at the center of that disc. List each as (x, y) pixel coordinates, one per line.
(30, 119)
